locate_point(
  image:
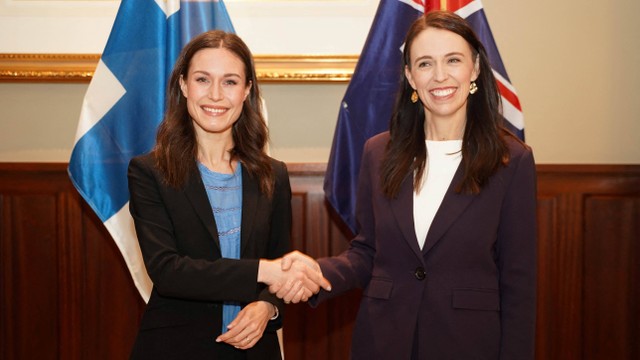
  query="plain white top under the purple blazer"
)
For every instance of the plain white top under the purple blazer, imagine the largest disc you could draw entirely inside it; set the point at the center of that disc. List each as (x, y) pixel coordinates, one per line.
(443, 158)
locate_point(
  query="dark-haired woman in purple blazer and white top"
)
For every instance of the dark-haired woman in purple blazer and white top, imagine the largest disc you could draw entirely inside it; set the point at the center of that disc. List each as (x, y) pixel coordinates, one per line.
(446, 208)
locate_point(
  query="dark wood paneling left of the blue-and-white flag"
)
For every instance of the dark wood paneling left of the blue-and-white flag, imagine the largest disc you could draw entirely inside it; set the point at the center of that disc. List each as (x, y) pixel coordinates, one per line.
(66, 292)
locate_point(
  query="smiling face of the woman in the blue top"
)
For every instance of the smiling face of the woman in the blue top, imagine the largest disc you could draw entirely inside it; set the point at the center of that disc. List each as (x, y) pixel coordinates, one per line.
(215, 88)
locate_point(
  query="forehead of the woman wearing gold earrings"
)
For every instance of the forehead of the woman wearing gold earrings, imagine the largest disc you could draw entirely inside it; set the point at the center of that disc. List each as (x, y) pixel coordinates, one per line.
(438, 42)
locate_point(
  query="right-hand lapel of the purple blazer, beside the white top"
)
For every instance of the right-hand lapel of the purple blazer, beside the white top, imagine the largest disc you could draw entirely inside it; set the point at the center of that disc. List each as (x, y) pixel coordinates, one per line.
(453, 204)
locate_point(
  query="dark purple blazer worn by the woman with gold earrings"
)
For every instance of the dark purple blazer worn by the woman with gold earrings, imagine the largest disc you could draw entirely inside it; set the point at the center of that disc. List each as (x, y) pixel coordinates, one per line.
(470, 293)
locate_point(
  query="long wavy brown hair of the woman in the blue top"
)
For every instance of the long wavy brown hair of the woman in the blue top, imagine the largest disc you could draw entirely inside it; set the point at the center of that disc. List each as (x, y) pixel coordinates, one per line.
(176, 146)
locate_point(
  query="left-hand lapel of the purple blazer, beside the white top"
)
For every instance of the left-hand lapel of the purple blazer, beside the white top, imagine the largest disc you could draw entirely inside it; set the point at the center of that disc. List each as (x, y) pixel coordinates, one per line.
(402, 209)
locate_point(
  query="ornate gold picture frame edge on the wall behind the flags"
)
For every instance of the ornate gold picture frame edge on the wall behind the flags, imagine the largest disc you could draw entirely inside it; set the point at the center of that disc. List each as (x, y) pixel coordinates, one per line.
(78, 68)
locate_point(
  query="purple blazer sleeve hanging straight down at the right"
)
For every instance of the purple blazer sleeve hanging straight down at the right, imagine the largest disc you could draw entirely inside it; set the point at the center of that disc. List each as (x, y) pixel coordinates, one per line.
(517, 260)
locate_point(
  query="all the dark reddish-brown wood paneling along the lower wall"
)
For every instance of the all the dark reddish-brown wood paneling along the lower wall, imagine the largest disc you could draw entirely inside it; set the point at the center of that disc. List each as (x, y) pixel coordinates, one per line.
(66, 292)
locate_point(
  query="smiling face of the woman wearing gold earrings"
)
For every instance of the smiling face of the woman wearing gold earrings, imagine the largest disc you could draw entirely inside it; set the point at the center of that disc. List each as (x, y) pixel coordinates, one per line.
(441, 69)
